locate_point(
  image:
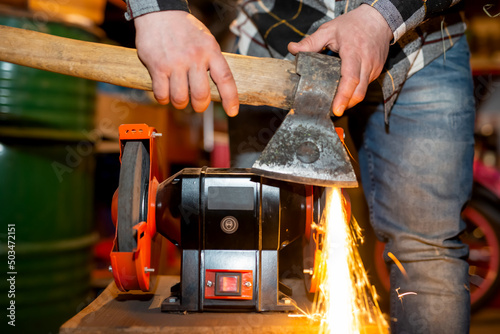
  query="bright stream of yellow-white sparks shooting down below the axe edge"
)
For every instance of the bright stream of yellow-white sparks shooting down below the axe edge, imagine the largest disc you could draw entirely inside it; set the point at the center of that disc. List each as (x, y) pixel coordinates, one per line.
(346, 301)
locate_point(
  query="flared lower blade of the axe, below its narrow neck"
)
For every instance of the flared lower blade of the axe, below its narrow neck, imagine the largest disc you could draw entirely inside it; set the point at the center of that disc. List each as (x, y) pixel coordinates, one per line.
(307, 150)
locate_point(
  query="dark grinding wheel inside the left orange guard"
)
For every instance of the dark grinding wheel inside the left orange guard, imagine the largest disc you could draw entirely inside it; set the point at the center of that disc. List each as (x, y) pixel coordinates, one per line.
(132, 194)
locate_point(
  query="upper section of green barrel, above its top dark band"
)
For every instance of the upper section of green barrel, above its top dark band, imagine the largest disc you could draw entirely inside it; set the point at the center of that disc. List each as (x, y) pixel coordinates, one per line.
(45, 100)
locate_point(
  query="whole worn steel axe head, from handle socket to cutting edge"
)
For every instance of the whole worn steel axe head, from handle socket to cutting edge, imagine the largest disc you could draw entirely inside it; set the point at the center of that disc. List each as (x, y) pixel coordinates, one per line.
(306, 148)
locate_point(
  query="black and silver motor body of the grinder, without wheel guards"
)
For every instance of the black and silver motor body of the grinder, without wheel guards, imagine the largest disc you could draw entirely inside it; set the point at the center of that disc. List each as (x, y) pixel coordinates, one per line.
(233, 225)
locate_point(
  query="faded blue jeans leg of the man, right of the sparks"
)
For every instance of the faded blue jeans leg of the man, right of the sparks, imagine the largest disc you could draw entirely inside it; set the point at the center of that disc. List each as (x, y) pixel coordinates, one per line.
(417, 176)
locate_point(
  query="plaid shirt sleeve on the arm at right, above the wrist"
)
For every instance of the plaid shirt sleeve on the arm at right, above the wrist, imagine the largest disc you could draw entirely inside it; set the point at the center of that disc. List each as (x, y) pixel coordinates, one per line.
(405, 15)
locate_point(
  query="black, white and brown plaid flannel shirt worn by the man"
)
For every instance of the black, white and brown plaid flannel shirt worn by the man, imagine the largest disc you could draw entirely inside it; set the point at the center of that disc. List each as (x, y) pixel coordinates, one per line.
(423, 29)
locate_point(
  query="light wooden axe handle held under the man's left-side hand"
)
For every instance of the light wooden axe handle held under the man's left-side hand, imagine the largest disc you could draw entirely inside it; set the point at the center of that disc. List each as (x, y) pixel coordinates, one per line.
(260, 81)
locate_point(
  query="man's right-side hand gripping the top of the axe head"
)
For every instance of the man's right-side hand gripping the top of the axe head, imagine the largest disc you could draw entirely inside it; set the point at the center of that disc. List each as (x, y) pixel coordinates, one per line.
(362, 38)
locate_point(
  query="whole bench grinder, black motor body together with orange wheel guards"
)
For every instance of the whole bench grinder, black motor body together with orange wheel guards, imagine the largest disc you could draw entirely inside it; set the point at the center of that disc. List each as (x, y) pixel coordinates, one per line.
(231, 227)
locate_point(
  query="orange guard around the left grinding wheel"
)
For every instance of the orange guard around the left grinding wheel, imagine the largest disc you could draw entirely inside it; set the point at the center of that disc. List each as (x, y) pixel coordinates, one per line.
(132, 270)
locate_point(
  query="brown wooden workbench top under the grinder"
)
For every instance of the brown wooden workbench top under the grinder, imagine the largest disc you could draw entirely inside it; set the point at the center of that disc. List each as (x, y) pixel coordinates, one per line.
(117, 312)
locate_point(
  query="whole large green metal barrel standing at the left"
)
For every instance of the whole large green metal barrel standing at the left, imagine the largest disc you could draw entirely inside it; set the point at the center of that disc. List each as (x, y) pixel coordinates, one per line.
(46, 190)
